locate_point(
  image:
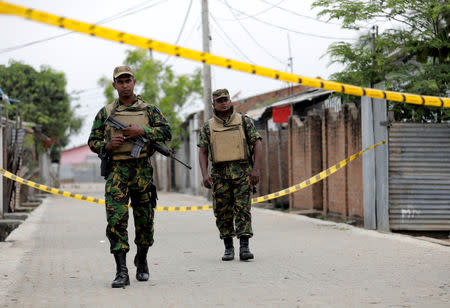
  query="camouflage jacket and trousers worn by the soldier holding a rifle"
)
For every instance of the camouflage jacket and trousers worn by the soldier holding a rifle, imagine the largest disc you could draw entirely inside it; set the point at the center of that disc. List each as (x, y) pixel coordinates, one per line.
(130, 179)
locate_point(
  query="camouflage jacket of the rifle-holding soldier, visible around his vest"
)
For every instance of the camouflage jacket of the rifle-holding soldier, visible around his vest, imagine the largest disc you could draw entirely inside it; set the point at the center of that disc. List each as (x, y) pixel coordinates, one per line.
(159, 130)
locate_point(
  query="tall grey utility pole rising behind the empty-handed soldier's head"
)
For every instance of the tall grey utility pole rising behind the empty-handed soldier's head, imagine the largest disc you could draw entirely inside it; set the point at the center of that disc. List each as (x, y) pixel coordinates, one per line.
(206, 67)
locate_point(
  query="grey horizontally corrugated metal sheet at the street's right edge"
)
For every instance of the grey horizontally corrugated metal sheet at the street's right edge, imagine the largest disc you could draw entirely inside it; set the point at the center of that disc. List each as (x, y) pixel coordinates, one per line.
(419, 176)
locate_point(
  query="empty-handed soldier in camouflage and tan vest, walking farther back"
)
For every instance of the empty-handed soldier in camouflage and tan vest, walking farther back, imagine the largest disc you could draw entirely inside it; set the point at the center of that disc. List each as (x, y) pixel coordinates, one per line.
(230, 141)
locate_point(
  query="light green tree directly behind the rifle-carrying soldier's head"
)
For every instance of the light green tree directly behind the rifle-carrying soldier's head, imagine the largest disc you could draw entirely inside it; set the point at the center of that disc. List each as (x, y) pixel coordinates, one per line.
(160, 86)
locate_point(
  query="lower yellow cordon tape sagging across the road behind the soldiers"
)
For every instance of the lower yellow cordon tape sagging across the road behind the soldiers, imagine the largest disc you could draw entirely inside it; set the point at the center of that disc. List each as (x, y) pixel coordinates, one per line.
(312, 180)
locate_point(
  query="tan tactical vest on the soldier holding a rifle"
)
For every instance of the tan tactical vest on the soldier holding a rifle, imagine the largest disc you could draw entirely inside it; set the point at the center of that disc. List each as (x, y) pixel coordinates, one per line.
(131, 114)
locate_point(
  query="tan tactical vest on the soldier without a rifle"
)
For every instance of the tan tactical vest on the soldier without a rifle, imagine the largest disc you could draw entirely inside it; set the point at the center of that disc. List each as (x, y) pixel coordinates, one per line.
(227, 139)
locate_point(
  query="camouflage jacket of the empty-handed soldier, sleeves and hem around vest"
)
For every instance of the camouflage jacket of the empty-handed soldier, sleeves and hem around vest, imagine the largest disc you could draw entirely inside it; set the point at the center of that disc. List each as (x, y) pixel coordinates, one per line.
(234, 169)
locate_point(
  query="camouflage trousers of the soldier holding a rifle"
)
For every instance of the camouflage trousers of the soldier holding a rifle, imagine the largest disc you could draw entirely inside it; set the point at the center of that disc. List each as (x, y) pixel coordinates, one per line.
(130, 179)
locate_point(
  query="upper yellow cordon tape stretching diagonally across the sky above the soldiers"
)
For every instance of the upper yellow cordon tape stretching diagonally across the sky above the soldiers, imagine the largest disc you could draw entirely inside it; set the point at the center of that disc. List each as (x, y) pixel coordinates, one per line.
(145, 43)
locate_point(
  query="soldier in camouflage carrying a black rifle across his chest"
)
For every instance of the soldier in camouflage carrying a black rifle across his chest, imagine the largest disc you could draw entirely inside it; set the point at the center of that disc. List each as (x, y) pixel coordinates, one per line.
(129, 177)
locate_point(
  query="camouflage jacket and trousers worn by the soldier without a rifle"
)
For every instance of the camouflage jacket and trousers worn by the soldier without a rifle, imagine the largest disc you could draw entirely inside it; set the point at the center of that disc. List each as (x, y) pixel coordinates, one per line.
(231, 189)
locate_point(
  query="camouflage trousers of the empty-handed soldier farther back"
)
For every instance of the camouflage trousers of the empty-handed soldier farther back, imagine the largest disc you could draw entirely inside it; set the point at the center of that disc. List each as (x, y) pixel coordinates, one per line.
(232, 205)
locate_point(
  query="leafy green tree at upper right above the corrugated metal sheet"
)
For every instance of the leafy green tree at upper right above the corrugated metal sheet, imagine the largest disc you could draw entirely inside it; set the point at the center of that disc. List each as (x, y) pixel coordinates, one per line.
(412, 56)
